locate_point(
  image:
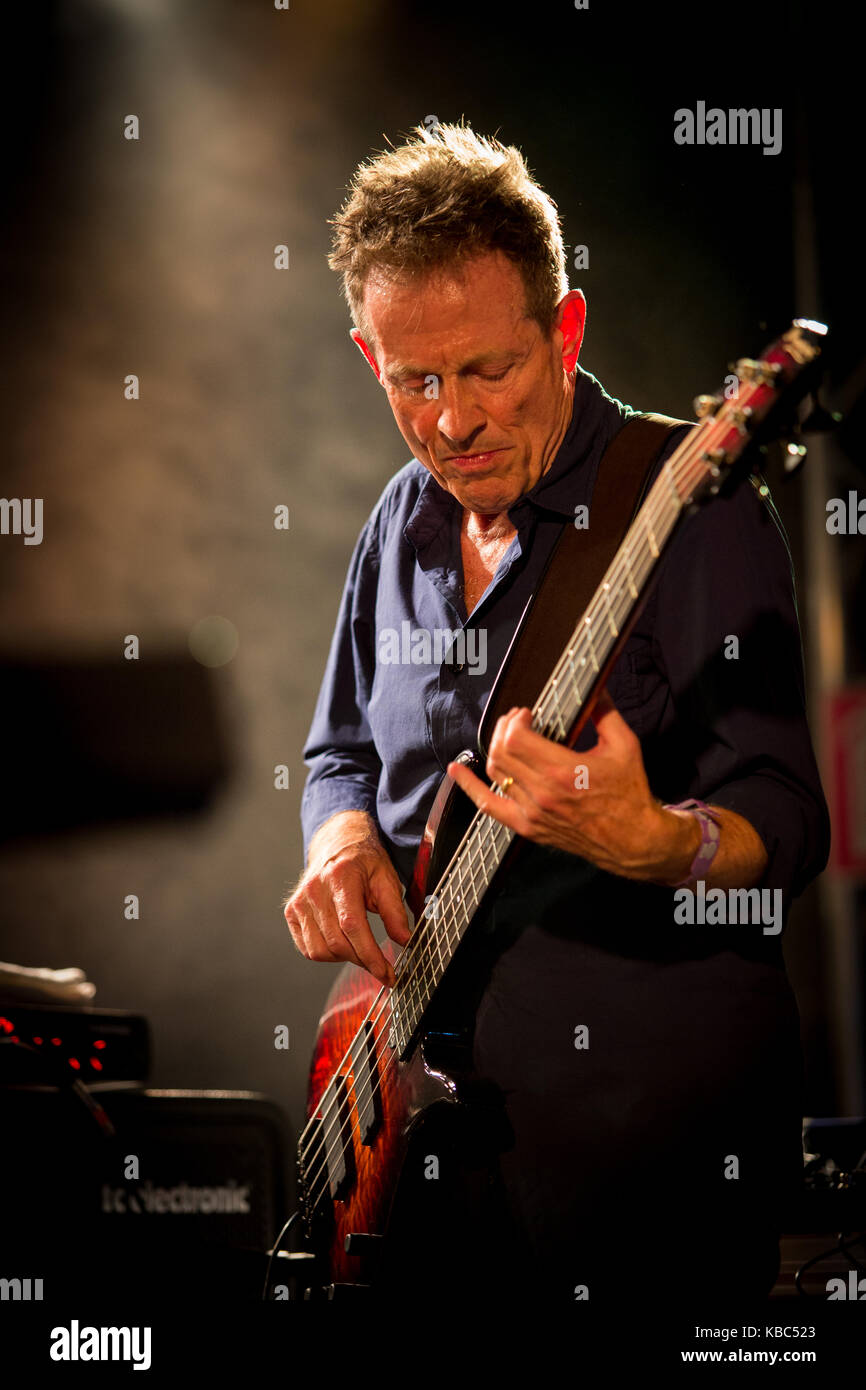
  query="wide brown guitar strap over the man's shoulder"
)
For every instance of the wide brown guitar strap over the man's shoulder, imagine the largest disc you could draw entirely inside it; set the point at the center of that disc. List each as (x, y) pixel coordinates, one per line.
(578, 566)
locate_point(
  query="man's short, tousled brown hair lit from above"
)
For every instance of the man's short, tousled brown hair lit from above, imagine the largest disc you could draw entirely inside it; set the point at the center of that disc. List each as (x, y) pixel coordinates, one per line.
(440, 199)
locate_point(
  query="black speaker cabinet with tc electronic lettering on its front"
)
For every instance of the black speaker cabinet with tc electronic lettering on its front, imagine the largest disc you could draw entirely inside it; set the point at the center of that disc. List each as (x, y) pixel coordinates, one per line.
(181, 1202)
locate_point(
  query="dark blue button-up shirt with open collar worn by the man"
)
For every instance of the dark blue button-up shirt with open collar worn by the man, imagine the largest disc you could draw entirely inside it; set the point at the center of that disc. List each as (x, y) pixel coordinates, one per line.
(400, 700)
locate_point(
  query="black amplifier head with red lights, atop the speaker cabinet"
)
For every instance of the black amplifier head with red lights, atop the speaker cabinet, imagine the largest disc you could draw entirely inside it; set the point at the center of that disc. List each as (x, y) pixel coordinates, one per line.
(51, 1045)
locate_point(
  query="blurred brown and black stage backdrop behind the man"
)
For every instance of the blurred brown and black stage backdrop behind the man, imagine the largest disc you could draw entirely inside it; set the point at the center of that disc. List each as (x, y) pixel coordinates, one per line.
(156, 258)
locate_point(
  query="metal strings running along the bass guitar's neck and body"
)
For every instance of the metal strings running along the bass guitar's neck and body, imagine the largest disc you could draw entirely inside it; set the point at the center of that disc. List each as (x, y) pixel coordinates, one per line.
(653, 514)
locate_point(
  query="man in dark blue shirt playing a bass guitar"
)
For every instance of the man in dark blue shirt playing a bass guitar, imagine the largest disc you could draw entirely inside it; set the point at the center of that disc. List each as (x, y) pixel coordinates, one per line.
(648, 1061)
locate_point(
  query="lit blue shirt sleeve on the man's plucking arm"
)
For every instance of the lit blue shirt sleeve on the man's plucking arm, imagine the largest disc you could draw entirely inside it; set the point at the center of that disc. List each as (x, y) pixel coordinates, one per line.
(340, 751)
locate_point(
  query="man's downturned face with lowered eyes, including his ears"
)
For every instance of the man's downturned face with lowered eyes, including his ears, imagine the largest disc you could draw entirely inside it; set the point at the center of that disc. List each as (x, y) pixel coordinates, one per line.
(479, 394)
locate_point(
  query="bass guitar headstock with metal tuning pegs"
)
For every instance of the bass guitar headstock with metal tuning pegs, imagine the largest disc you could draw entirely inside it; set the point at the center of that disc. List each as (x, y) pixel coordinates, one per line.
(757, 405)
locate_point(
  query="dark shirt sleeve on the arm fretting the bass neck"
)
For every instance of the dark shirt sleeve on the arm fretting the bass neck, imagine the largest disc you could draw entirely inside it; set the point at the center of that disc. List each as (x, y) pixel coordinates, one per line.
(728, 637)
